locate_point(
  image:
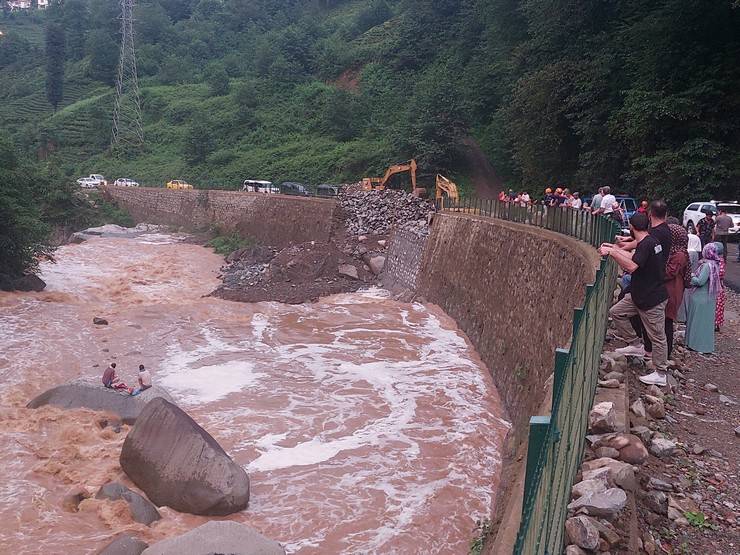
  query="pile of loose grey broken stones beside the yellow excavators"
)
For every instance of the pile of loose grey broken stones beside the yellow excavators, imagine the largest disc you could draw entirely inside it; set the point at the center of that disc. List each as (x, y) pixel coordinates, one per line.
(377, 212)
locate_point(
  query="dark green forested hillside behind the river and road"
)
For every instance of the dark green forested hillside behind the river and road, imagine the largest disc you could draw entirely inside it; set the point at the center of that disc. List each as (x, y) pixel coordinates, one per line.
(643, 95)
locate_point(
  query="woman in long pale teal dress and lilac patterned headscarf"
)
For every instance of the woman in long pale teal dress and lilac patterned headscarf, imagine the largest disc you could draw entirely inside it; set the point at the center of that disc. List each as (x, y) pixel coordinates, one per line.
(702, 303)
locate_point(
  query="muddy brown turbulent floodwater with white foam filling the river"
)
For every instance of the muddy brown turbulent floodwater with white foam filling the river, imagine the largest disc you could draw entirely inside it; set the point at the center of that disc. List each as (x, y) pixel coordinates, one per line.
(366, 425)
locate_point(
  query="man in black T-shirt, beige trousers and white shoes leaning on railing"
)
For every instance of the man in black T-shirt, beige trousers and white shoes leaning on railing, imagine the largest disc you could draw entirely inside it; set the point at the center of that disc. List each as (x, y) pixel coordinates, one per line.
(648, 296)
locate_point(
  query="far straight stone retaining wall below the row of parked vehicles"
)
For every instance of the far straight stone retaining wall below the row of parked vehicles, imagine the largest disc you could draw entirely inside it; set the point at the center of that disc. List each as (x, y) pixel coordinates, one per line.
(276, 220)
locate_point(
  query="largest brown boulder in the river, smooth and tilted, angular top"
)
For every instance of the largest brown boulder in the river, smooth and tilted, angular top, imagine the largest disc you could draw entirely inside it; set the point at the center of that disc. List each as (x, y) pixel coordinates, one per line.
(178, 464)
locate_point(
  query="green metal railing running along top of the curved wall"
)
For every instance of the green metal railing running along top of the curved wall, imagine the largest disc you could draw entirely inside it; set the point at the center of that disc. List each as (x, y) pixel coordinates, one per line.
(556, 441)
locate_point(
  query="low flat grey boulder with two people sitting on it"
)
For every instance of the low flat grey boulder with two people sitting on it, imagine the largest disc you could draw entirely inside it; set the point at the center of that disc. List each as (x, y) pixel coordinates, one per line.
(92, 395)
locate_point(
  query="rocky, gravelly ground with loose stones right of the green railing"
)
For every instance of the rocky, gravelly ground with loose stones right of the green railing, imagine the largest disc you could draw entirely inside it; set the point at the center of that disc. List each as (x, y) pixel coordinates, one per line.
(669, 484)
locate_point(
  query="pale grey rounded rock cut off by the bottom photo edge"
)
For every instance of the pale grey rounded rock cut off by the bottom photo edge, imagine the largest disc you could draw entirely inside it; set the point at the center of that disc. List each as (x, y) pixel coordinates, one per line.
(218, 537)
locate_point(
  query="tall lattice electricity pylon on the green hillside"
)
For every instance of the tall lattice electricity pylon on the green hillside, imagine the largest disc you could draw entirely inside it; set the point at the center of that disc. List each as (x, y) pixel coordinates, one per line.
(127, 127)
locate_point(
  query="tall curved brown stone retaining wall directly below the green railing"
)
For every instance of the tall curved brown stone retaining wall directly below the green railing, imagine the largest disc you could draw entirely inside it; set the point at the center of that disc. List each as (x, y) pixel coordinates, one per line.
(512, 289)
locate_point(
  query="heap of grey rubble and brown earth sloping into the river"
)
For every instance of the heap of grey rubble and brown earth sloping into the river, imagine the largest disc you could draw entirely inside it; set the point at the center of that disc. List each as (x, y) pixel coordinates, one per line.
(352, 259)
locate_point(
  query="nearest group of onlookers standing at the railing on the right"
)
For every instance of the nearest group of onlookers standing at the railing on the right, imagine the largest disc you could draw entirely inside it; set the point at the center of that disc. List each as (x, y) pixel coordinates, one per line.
(670, 276)
